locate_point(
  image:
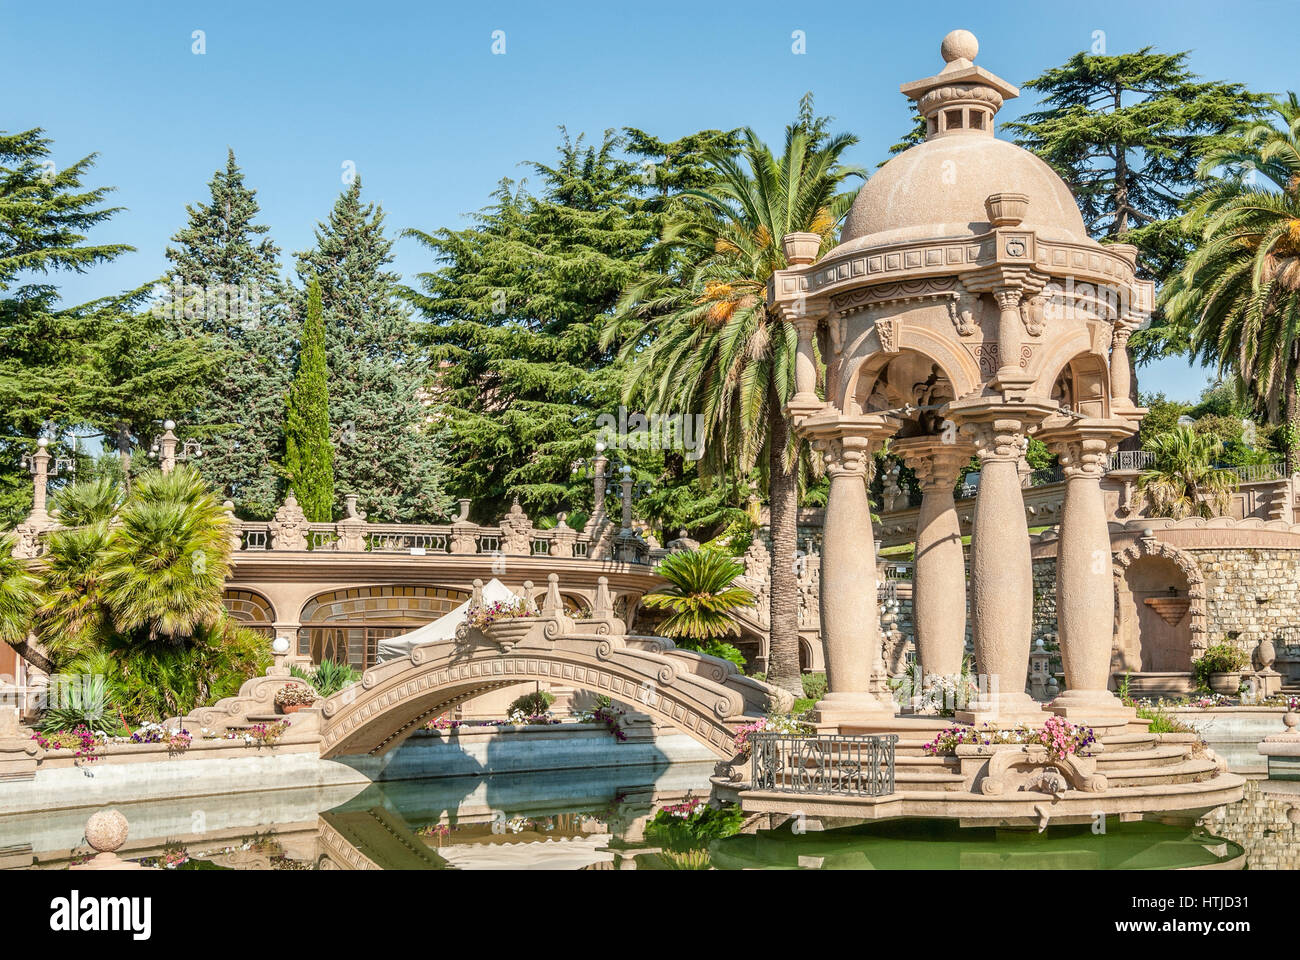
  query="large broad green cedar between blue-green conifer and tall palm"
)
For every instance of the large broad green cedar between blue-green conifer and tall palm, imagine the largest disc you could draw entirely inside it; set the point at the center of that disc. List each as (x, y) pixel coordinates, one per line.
(514, 326)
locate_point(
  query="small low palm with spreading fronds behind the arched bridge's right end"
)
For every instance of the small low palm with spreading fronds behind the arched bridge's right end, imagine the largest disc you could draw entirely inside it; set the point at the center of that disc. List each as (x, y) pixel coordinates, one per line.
(700, 595)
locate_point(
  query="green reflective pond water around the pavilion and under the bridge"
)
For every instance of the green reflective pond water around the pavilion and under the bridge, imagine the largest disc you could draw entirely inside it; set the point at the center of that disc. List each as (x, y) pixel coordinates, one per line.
(605, 819)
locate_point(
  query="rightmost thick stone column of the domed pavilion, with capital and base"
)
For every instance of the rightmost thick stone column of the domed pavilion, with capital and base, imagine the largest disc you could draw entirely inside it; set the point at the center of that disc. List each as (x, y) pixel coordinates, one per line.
(1085, 582)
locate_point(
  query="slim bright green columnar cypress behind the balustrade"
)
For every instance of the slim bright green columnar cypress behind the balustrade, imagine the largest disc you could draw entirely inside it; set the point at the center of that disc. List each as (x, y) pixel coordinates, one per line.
(309, 455)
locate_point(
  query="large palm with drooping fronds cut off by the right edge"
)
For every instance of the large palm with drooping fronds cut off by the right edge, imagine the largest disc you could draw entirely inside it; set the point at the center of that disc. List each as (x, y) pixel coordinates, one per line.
(1238, 297)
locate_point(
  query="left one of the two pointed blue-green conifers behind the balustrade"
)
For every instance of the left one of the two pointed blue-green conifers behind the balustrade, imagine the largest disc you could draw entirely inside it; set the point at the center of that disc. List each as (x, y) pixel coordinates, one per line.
(224, 283)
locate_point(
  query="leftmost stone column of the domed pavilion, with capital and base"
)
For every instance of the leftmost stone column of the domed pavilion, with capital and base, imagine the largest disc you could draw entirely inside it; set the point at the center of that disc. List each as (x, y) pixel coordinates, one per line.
(851, 619)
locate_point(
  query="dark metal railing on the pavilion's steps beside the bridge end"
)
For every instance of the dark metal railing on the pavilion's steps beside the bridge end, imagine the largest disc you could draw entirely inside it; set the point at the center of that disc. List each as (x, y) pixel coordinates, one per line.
(847, 766)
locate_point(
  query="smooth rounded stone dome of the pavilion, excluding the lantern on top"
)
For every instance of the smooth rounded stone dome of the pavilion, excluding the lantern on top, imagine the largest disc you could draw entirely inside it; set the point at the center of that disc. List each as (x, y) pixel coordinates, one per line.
(938, 189)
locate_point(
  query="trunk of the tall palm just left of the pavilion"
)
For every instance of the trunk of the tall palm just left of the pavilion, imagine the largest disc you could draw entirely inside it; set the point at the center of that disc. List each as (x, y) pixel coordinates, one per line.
(783, 652)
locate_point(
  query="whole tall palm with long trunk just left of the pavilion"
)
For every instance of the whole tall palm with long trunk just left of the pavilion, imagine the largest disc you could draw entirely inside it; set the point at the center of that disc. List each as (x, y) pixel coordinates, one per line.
(710, 345)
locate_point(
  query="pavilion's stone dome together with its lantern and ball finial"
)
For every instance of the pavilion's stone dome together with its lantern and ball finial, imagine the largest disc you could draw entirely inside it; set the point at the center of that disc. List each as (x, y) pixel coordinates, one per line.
(938, 188)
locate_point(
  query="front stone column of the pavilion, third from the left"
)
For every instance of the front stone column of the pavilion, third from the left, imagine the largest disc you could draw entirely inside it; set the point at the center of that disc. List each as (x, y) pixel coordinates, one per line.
(1000, 567)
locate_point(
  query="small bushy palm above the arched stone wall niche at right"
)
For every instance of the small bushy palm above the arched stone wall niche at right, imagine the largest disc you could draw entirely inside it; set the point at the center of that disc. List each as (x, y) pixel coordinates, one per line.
(1184, 481)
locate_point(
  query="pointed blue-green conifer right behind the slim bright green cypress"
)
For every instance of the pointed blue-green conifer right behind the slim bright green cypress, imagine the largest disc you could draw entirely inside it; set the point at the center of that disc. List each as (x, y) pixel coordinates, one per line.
(387, 449)
